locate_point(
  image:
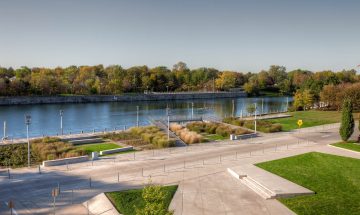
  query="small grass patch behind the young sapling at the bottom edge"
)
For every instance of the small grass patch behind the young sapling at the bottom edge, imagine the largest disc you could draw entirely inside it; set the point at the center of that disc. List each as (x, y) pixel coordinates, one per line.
(126, 201)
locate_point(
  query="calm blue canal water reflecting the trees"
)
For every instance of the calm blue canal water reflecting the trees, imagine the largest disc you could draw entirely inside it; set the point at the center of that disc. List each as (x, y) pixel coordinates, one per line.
(45, 118)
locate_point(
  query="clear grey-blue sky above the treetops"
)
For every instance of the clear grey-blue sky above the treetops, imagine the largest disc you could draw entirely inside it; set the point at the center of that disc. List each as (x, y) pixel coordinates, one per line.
(239, 35)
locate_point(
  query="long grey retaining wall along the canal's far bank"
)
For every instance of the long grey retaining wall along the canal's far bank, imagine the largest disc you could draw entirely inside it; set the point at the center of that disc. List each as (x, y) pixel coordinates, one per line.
(27, 100)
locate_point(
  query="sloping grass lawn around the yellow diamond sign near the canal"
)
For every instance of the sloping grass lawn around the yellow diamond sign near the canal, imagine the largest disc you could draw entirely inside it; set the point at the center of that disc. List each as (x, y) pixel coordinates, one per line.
(309, 118)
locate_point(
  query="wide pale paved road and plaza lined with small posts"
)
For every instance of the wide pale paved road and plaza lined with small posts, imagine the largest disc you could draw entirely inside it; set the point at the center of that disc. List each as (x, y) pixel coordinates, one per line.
(185, 166)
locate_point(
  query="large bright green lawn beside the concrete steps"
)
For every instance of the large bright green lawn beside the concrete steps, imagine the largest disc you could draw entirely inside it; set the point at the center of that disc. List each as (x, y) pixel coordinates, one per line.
(335, 179)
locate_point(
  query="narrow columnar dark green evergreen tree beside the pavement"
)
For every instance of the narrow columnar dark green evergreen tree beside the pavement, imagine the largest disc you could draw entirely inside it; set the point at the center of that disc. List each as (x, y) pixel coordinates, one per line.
(347, 121)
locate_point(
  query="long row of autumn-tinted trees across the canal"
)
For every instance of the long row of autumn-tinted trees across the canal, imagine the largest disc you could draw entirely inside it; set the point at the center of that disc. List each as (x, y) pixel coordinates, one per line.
(87, 80)
